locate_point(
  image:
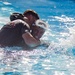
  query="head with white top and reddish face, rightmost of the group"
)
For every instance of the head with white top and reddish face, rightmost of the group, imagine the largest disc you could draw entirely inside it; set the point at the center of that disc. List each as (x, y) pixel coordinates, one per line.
(39, 28)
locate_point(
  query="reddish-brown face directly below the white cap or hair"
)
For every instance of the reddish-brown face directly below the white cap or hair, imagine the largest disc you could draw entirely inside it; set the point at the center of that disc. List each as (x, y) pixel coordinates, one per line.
(38, 32)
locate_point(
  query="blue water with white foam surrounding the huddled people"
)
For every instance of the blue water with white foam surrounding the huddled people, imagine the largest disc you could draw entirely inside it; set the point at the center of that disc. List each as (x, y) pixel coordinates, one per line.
(56, 59)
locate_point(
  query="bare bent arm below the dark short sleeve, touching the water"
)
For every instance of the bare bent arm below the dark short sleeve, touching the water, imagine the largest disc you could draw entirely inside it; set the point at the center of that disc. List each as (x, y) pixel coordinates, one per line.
(30, 40)
